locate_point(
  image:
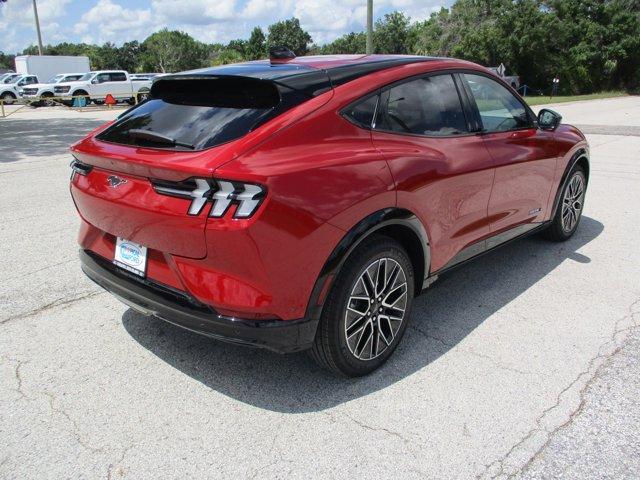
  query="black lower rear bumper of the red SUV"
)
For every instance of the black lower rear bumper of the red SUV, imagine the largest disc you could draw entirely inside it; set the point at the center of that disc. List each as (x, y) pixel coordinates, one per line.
(150, 298)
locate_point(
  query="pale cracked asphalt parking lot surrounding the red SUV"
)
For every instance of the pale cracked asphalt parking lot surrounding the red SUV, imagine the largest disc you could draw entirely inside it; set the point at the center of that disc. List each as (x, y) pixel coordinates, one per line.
(524, 363)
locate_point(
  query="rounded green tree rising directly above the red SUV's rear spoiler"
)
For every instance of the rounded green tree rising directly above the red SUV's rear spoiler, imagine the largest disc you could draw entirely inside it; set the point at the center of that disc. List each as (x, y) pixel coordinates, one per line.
(172, 51)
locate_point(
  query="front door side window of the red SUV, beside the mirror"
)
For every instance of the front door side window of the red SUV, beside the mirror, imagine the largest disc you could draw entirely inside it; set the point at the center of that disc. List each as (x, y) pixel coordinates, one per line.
(499, 109)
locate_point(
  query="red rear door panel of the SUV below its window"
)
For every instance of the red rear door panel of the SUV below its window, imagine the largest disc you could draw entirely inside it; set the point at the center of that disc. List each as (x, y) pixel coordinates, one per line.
(446, 182)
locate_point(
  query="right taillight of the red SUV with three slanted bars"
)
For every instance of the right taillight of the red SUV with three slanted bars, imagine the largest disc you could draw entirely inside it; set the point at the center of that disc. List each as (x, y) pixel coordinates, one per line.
(220, 193)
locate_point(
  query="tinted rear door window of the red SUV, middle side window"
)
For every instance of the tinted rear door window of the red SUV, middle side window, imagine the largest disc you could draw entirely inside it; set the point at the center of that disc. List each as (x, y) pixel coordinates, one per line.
(425, 106)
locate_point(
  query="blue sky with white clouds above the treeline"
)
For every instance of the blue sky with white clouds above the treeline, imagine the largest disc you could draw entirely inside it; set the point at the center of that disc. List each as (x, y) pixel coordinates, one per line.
(118, 21)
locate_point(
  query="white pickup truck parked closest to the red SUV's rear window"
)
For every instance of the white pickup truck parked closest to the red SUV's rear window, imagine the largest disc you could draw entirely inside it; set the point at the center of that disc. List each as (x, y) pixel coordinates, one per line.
(97, 85)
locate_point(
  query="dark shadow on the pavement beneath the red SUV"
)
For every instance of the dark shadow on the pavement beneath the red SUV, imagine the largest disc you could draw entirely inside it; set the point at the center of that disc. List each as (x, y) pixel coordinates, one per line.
(443, 316)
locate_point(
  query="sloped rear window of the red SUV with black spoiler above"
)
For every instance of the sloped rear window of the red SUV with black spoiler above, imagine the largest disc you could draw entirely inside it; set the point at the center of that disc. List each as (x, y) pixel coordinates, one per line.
(196, 113)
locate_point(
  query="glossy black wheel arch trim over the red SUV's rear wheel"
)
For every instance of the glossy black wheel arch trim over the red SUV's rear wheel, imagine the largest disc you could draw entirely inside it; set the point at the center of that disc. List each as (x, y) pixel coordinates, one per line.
(401, 225)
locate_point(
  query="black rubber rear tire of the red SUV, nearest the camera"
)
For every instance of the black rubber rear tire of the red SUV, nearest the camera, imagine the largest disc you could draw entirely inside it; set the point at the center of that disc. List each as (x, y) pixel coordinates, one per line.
(331, 349)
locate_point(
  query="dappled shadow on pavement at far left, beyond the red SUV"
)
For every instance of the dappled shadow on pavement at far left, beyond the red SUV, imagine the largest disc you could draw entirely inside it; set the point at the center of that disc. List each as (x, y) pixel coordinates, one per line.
(30, 137)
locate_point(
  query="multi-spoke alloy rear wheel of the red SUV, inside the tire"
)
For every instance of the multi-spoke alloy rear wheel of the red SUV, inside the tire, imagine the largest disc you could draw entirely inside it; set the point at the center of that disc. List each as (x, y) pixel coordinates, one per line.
(376, 309)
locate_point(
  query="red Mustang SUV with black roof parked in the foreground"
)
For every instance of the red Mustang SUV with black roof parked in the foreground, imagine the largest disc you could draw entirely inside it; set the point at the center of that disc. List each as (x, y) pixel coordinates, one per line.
(302, 203)
